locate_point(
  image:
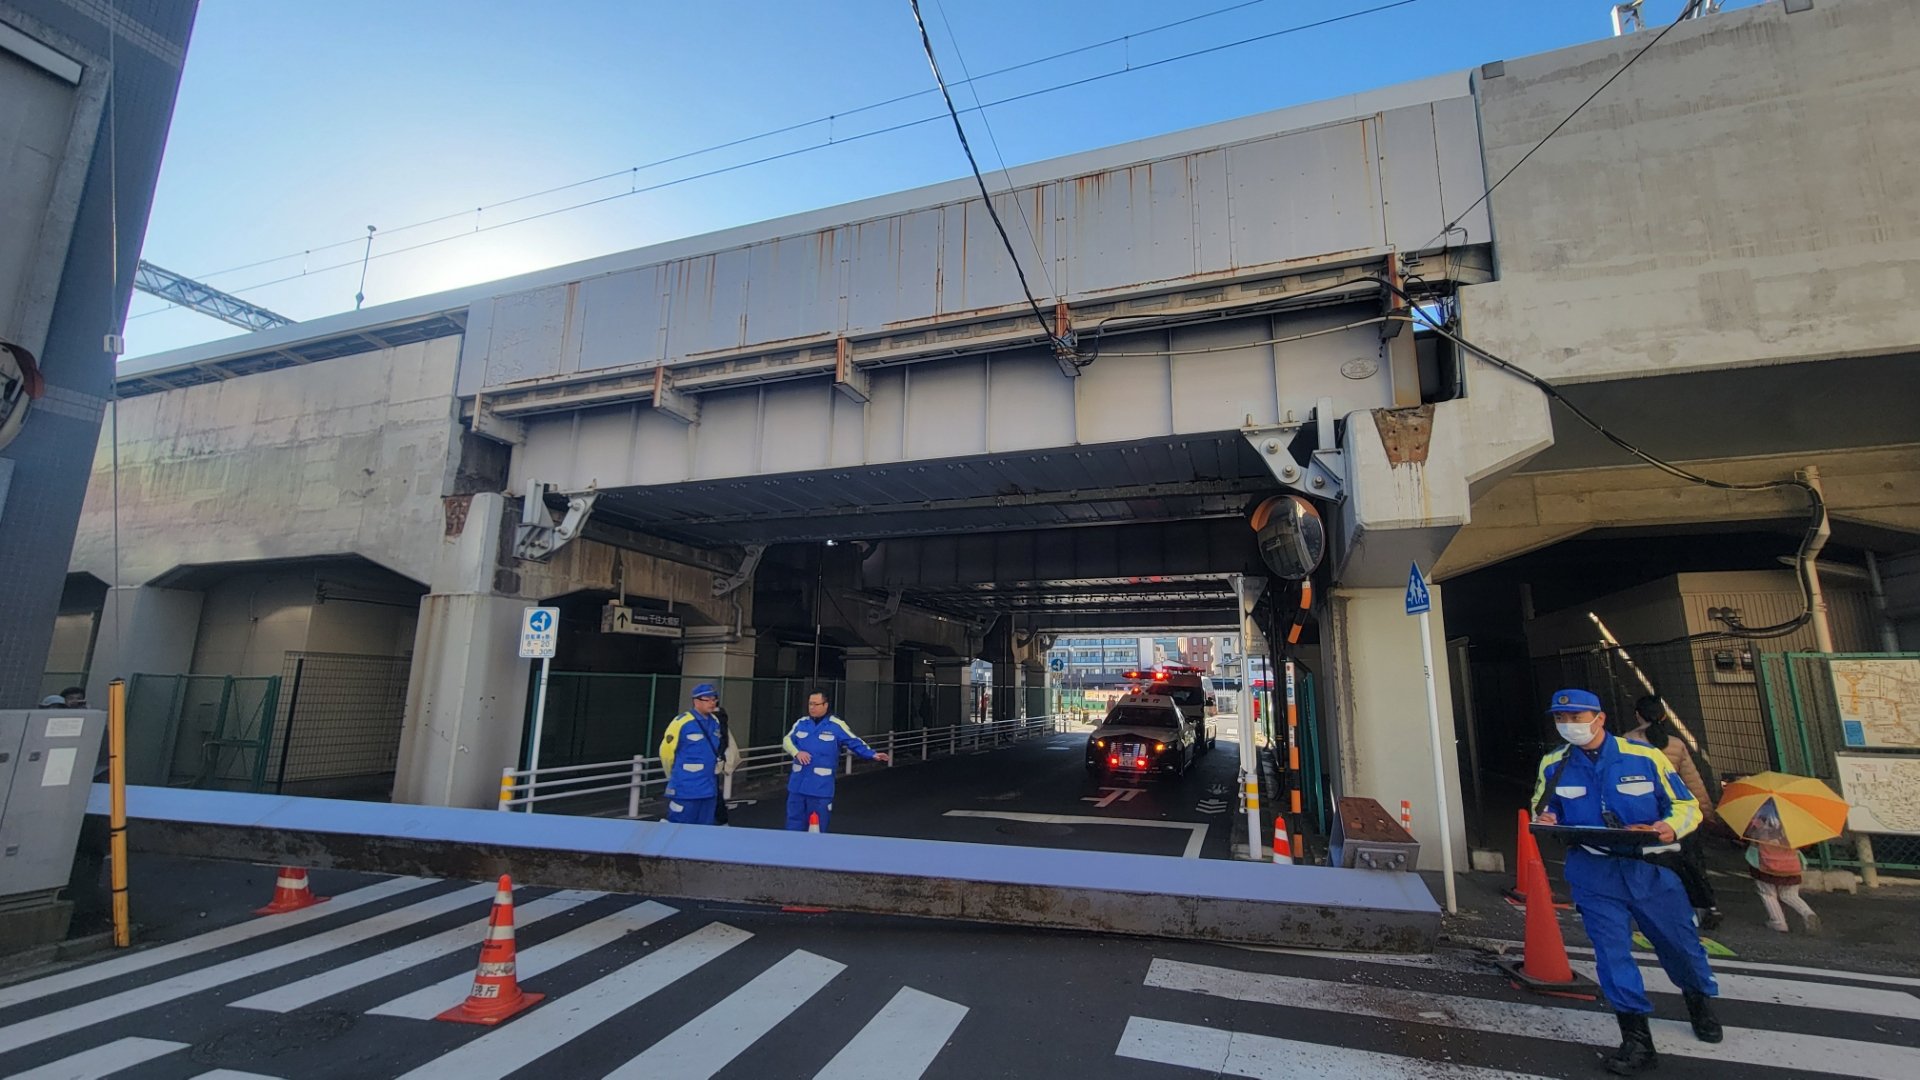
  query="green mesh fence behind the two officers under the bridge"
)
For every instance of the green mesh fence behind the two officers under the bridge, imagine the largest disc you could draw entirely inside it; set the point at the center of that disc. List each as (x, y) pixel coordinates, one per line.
(598, 718)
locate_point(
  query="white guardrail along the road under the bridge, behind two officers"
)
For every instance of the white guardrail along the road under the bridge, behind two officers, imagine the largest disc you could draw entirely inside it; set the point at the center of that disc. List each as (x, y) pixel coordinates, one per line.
(642, 777)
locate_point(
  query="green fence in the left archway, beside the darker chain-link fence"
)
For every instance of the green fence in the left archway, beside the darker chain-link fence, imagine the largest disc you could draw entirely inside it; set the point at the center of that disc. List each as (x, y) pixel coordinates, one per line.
(201, 731)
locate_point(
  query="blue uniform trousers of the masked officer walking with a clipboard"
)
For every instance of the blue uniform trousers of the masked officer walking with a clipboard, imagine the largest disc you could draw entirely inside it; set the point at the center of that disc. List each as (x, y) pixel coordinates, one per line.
(1616, 895)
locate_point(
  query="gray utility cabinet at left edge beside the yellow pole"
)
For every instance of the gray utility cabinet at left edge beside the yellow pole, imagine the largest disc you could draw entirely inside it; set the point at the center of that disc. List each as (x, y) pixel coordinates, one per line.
(47, 772)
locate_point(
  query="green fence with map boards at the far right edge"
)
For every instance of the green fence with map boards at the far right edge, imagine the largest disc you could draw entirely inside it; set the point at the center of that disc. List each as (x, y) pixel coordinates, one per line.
(1852, 720)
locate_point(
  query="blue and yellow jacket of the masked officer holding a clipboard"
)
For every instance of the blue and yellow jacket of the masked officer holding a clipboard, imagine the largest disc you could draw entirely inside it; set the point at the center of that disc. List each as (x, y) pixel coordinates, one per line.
(1631, 781)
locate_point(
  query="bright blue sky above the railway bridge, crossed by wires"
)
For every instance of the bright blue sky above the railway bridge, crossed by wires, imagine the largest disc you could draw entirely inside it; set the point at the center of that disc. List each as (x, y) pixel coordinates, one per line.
(300, 124)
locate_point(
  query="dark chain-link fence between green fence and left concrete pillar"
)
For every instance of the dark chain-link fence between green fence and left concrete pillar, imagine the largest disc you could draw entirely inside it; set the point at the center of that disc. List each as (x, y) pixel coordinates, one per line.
(341, 725)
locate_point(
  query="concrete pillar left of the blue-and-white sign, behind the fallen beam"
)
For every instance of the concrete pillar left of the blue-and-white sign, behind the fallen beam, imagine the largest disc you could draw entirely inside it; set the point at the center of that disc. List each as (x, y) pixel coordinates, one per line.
(468, 689)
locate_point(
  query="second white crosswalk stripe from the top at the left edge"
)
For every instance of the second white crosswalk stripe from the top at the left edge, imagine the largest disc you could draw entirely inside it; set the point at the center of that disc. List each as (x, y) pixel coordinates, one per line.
(116, 1006)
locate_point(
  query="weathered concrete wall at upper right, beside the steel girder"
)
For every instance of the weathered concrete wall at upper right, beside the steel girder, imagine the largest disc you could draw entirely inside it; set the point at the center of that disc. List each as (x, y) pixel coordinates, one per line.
(1744, 195)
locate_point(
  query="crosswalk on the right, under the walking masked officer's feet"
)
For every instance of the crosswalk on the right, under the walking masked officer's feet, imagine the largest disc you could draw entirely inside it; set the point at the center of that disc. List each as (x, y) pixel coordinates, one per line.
(1295, 1004)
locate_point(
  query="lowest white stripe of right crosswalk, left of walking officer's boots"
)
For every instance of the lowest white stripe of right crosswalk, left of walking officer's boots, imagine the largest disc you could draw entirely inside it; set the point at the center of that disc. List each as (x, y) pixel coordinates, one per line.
(1266, 1058)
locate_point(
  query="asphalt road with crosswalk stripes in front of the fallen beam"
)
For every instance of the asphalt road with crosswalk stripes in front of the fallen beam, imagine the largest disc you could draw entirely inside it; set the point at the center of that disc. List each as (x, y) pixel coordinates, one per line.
(667, 989)
